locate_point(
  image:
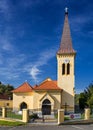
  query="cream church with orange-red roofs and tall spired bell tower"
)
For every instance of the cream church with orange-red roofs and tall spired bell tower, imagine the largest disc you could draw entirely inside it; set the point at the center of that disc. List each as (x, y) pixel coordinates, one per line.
(51, 95)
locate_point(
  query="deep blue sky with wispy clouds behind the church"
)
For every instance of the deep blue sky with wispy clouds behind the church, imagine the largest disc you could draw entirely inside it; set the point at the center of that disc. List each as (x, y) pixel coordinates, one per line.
(30, 35)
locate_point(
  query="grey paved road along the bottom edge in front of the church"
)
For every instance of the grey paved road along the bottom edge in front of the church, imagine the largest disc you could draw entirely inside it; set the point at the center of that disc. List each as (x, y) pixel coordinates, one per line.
(37, 127)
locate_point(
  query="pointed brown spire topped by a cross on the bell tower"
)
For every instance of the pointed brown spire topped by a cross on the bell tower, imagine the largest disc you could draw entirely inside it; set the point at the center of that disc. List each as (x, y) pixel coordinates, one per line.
(66, 40)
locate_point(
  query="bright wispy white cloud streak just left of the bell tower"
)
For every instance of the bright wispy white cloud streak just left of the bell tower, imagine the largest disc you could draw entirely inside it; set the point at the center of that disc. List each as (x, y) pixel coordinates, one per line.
(43, 59)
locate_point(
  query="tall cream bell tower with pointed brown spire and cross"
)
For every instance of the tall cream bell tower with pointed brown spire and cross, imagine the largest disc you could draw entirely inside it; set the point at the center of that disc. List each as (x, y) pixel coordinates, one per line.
(65, 67)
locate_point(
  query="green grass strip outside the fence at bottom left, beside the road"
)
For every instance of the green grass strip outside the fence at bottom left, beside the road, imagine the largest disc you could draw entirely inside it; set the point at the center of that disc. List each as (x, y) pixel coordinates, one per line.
(11, 123)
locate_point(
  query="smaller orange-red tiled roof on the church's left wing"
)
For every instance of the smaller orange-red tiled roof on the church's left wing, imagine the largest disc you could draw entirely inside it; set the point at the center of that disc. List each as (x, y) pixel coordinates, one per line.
(25, 87)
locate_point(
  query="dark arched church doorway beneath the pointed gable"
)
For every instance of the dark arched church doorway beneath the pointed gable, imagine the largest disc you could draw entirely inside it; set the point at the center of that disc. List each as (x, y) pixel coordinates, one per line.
(46, 107)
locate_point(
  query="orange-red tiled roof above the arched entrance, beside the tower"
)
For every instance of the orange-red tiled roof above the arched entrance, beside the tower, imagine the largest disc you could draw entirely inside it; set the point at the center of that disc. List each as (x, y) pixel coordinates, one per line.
(47, 85)
